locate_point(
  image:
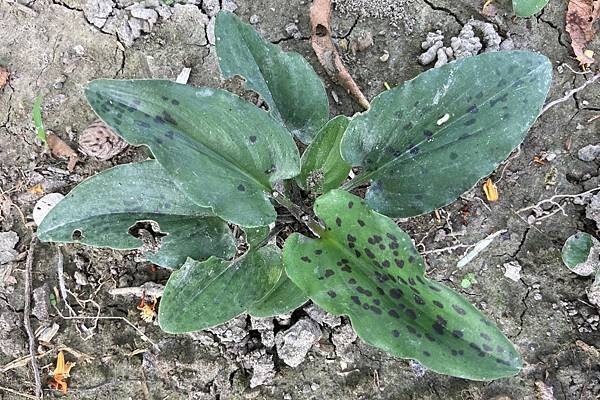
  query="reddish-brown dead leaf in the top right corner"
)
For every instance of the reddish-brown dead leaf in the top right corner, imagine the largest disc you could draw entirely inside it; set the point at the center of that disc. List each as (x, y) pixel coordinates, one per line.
(581, 15)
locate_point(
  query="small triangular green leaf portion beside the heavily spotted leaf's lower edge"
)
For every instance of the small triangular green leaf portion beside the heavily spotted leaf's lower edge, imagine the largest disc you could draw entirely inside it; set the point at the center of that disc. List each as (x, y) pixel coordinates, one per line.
(284, 297)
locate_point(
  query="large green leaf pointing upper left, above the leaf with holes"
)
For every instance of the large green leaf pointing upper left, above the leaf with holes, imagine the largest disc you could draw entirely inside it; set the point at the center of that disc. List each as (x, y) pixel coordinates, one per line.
(222, 151)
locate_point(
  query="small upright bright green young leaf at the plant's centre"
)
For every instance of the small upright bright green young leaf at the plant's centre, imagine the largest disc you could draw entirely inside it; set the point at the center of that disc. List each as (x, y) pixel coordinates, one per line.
(323, 167)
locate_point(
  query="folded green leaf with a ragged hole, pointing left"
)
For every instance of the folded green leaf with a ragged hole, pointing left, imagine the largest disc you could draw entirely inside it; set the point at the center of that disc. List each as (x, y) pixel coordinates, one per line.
(101, 210)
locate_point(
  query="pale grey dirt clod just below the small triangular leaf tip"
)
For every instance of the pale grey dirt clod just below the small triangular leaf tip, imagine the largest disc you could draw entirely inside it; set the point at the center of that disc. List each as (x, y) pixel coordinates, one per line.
(294, 344)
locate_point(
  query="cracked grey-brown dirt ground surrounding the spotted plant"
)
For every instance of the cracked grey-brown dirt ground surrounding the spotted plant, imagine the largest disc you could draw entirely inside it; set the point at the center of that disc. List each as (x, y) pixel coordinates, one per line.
(52, 48)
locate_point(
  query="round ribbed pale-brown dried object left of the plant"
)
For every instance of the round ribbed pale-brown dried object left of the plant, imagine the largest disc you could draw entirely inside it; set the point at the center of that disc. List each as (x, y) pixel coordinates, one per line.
(101, 142)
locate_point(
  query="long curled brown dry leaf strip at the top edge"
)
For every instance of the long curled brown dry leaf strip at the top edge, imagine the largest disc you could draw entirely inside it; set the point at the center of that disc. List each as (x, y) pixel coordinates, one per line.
(320, 17)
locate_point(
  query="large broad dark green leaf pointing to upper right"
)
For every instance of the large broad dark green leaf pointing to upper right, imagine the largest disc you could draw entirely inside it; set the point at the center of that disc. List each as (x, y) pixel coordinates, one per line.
(426, 142)
